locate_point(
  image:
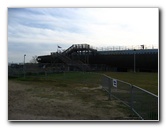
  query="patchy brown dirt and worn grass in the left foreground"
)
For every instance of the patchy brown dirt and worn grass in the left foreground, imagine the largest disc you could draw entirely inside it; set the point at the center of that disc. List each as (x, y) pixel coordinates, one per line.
(34, 101)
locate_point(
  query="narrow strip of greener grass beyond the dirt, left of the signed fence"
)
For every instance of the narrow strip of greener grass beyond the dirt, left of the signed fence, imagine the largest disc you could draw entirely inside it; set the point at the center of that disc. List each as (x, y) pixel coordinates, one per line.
(64, 78)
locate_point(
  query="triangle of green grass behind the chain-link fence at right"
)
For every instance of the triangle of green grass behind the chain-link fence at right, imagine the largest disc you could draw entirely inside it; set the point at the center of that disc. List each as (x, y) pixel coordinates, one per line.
(147, 81)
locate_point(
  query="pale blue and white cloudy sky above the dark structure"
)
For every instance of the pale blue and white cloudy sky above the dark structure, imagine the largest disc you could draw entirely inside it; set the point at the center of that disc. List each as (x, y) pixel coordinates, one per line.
(38, 31)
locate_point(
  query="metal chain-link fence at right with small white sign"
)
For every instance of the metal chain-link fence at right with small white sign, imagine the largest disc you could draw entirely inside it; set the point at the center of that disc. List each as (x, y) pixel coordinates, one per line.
(143, 103)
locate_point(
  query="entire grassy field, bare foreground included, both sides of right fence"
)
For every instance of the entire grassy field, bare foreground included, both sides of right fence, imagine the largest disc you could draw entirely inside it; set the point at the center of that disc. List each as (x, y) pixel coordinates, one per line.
(71, 95)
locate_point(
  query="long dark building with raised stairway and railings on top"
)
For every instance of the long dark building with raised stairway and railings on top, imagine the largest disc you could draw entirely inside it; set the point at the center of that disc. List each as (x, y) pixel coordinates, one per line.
(83, 57)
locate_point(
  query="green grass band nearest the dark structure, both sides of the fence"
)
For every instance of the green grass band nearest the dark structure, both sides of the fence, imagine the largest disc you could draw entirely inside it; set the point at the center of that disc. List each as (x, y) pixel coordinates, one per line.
(147, 81)
